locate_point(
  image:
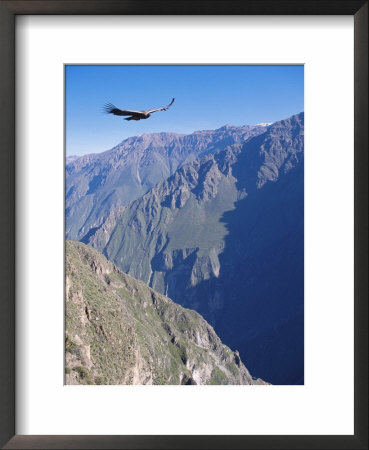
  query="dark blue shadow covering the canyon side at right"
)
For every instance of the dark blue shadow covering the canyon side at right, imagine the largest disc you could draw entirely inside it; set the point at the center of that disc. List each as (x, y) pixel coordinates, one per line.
(262, 278)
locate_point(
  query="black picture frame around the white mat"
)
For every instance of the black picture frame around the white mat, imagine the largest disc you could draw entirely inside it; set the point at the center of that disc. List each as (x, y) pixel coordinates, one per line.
(8, 12)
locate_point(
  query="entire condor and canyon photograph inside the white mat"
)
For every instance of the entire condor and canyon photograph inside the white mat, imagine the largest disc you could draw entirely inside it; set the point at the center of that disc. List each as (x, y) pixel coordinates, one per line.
(184, 224)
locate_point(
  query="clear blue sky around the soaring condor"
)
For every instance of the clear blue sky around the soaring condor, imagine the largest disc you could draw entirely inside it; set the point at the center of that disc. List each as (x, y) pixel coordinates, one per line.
(206, 97)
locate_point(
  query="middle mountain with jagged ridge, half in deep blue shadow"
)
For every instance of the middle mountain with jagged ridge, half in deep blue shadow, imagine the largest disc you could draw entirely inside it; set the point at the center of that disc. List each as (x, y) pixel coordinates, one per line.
(224, 235)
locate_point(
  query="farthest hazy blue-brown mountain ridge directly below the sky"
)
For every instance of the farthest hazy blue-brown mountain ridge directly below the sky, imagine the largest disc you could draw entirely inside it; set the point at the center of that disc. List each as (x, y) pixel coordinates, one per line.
(97, 183)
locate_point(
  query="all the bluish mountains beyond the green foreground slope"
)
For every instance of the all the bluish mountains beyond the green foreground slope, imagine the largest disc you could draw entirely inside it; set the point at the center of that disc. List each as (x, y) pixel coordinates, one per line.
(214, 220)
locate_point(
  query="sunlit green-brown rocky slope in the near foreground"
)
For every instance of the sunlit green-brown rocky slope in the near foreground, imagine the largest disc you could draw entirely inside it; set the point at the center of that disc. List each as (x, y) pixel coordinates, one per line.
(119, 331)
